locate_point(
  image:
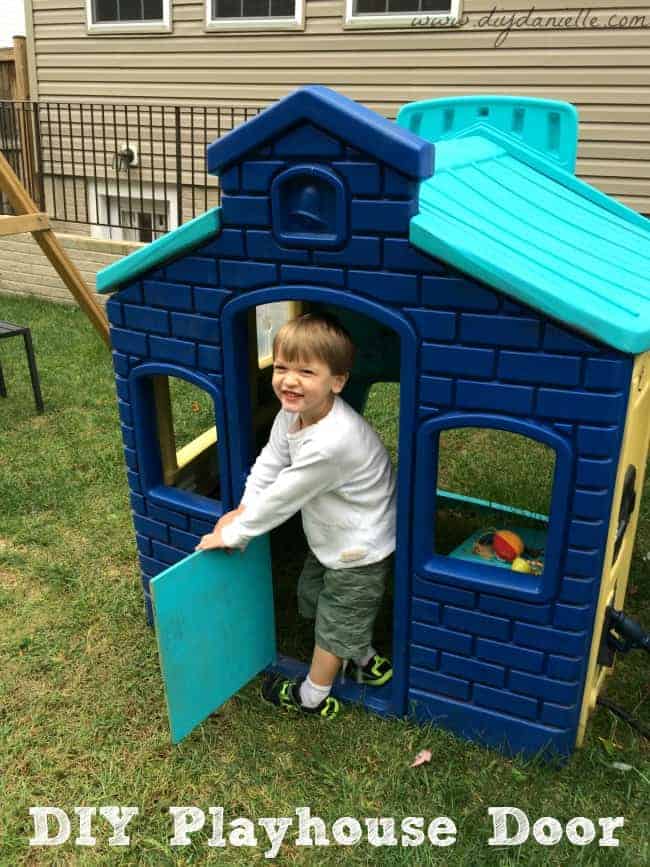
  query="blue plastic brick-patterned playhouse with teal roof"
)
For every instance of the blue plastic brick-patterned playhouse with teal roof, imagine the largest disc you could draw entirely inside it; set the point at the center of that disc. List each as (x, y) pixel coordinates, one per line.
(502, 293)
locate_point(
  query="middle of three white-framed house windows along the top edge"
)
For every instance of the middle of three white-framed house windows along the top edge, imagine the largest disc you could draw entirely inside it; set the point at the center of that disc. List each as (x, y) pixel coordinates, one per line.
(255, 14)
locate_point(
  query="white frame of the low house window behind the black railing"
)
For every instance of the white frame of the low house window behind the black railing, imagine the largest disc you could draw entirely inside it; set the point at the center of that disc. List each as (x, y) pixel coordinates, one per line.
(103, 194)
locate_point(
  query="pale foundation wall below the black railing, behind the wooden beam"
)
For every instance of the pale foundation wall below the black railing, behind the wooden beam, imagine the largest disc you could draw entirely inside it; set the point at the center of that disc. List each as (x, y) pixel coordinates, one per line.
(24, 269)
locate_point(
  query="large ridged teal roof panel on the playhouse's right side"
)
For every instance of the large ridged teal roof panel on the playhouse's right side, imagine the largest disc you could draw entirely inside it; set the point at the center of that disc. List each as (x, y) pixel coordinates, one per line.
(517, 222)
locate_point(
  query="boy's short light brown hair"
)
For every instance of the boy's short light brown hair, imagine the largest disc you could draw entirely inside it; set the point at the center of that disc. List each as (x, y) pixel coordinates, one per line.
(316, 335)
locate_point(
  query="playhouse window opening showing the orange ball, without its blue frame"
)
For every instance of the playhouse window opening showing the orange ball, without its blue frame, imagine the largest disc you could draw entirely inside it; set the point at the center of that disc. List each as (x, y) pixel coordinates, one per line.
(494, 491)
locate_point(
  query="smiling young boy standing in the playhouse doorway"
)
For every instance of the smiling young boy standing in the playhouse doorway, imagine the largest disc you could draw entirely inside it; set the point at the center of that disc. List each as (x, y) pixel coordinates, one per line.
(323, 459)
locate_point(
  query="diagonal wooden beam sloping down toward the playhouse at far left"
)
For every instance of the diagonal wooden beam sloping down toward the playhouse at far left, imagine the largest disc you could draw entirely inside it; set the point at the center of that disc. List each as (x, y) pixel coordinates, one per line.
(22, 203)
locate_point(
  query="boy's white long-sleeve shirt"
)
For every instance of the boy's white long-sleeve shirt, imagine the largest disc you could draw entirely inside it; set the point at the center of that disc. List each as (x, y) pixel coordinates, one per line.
(338, 473)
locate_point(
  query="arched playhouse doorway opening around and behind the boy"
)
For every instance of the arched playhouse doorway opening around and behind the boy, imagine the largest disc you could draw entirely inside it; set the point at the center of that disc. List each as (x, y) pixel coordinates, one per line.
(374, 390)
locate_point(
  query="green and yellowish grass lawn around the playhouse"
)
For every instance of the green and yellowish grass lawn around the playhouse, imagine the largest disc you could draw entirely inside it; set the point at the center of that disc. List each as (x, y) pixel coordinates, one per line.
(82, 713)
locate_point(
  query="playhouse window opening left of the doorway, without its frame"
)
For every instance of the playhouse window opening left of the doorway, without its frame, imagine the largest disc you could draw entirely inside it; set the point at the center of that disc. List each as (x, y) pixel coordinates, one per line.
(187, 436)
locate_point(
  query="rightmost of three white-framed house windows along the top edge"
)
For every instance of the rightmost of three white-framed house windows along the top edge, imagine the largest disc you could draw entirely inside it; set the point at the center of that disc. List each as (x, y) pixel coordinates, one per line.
(401, 13)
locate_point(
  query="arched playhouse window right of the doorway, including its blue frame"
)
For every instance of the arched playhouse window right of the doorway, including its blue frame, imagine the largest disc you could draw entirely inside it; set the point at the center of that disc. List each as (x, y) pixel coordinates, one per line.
(494, 520)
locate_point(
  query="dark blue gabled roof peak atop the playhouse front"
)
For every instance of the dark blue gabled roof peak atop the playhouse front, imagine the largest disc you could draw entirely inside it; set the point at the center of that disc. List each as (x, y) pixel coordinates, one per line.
(334, 113)
